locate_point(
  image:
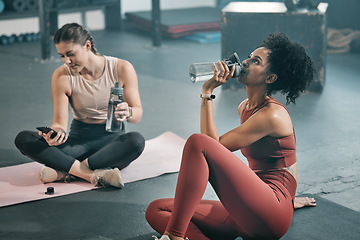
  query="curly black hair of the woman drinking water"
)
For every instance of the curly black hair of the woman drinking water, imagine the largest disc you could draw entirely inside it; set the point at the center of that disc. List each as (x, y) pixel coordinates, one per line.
(290, 62)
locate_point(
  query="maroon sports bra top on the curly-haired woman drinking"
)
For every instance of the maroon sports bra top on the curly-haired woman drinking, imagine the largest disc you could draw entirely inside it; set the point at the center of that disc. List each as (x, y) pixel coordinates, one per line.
(269, 152)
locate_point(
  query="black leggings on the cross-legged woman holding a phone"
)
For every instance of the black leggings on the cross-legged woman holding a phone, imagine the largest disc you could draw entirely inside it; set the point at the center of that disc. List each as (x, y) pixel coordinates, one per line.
(85, 140)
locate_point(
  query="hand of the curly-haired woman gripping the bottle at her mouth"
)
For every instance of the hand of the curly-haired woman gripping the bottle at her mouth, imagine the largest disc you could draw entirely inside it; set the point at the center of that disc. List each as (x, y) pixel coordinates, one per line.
(219, 78)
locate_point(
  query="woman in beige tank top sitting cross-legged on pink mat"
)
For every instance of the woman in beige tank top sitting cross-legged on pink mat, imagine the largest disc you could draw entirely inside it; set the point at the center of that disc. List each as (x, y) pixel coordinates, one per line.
(84, 81)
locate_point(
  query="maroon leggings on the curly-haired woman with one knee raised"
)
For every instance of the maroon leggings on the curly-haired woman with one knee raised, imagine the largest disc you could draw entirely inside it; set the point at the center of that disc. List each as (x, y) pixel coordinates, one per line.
(252, 206)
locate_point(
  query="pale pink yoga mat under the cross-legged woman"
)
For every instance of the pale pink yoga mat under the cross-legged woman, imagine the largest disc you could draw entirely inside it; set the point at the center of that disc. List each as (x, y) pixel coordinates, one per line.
(21, 183)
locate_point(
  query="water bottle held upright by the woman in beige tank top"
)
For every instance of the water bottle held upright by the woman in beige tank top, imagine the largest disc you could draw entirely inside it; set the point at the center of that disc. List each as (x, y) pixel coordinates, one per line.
(116, 97)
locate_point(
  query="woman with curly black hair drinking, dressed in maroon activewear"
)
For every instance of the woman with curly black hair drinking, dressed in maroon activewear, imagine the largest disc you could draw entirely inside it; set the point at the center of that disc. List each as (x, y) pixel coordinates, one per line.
(256, 201)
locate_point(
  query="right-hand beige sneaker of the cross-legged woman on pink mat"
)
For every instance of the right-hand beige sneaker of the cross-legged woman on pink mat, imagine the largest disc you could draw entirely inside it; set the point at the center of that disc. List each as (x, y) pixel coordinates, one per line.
(107, 177)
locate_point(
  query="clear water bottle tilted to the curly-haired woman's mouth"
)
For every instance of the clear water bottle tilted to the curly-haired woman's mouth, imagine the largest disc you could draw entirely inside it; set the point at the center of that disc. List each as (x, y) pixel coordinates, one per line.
(200, 72)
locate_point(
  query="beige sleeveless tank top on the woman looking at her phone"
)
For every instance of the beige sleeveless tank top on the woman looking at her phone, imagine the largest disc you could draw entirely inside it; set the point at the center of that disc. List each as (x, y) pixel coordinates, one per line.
(89, 99)
